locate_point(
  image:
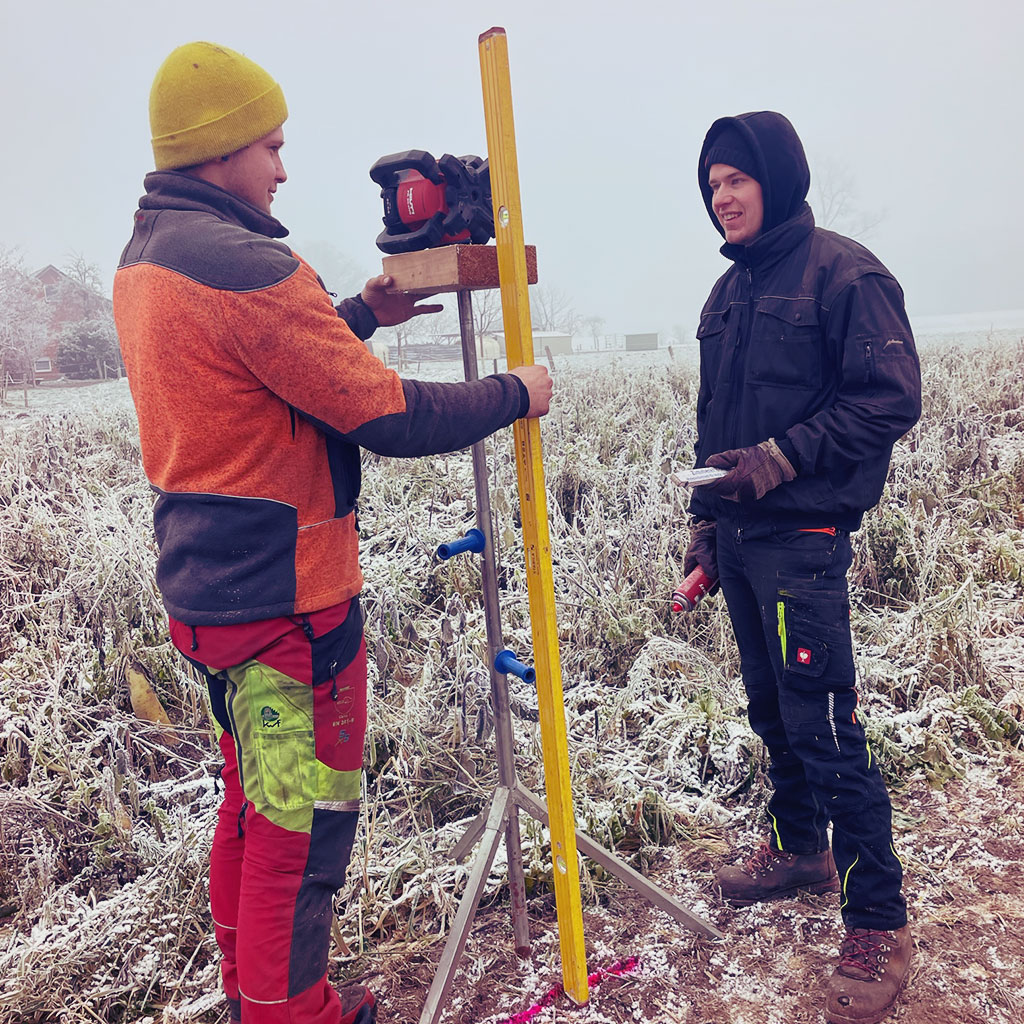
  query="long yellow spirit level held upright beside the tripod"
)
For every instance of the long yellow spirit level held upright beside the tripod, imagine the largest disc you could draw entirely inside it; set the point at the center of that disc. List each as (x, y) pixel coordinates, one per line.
(534, 506)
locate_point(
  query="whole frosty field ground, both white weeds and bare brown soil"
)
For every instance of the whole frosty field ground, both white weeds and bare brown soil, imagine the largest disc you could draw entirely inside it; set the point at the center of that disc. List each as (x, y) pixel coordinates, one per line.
(105, 820)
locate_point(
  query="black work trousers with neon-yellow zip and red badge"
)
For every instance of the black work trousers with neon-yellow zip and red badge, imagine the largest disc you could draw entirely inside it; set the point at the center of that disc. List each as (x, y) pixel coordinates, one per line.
(788, 600)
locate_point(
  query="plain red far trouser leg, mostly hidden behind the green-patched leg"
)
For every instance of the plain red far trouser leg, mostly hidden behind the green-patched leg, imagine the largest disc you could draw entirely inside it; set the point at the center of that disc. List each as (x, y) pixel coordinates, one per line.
(226, 873)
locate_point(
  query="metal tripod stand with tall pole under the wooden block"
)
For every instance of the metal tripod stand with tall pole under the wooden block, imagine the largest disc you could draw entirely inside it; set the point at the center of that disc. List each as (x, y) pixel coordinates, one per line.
(502, 817)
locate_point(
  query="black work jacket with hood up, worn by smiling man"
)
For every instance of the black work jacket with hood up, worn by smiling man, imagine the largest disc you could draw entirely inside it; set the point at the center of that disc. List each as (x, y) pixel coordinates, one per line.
(805, 339)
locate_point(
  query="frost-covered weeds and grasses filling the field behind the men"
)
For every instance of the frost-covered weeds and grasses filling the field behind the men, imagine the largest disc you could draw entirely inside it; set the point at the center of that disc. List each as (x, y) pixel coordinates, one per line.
(105, 820)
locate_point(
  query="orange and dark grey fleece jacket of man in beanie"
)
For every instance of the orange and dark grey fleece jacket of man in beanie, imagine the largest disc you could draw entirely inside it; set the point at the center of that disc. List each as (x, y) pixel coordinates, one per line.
(253, 397)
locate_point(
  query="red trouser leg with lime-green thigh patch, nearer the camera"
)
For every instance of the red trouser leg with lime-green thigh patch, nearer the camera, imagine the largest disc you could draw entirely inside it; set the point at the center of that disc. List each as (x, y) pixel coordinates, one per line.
(302, 753)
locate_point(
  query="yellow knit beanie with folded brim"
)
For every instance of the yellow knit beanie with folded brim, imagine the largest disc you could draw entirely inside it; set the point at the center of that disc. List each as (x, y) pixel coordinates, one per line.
(208, 102)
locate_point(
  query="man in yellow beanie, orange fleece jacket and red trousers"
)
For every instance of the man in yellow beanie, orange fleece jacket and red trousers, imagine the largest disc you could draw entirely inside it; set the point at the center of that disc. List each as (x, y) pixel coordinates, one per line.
(254, 395)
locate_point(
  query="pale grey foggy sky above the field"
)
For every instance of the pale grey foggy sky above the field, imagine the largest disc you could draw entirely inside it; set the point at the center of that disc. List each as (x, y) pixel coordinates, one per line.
(916, 104)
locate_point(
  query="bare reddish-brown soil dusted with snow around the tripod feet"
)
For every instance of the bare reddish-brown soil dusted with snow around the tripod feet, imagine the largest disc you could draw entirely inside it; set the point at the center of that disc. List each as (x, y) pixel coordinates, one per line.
(962, 847)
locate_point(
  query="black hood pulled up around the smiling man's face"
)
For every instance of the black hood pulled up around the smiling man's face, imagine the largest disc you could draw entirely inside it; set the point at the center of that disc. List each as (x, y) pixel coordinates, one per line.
(782, 166)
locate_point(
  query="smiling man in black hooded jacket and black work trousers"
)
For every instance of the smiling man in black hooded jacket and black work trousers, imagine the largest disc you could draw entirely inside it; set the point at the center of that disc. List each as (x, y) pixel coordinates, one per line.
(808, 377)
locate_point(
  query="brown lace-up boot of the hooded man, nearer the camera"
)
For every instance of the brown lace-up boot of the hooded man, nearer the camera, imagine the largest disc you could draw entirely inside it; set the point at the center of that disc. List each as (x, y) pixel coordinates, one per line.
(872, 970)
